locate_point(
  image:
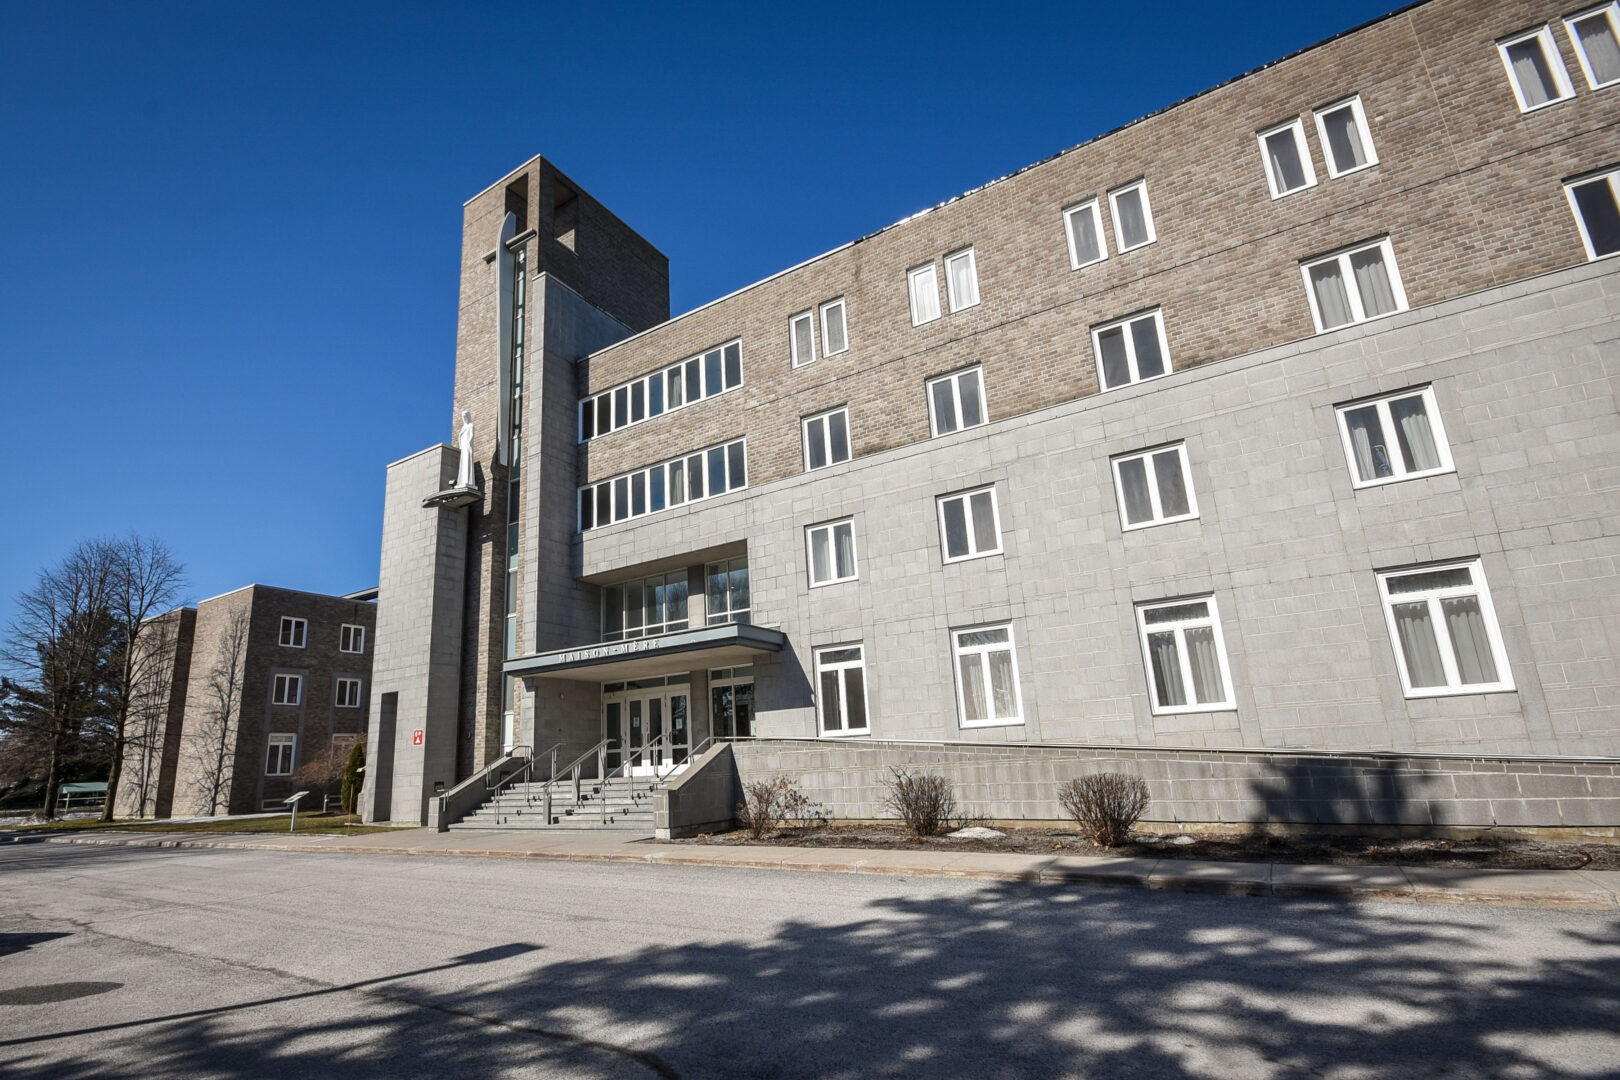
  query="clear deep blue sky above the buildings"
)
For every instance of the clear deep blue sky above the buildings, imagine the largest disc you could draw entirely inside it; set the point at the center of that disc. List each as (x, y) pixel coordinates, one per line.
(231, 232)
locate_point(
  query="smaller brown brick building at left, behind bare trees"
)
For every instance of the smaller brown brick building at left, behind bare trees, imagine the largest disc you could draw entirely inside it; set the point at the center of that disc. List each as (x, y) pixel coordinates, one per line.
(257, 684)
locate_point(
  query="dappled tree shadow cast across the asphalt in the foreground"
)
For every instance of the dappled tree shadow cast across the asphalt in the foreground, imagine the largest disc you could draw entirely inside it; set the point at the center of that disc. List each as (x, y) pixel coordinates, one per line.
(997, 982)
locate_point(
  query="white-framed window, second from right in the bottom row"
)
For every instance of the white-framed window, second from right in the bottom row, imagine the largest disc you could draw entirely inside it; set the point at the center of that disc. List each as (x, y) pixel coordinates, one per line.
(1187, 657)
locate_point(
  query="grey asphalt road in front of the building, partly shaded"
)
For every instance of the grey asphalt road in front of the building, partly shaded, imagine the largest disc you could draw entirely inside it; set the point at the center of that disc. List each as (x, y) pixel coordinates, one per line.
(137, 963)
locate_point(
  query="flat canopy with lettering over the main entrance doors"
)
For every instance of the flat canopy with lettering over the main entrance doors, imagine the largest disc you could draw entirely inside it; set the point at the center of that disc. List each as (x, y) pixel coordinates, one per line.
(728, 645)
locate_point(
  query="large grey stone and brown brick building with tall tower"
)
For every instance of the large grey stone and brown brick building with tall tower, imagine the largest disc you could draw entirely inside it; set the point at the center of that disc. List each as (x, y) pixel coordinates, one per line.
(1266, 448)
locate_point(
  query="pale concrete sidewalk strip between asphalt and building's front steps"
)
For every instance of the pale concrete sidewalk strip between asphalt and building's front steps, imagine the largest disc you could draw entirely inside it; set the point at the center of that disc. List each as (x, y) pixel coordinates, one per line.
(1418, 885)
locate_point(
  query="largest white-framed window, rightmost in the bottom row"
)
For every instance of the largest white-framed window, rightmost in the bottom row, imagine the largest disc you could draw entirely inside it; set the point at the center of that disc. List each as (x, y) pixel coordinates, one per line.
(1444, 631)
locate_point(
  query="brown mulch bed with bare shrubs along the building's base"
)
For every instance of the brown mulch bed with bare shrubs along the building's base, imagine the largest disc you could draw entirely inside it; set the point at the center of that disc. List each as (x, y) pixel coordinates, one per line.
(1349, 851)
